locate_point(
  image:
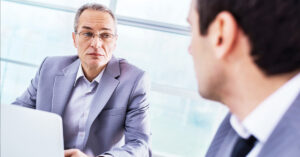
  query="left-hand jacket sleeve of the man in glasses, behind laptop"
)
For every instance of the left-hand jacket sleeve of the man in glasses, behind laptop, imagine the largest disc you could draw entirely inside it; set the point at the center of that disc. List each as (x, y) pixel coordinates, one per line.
(28, 98)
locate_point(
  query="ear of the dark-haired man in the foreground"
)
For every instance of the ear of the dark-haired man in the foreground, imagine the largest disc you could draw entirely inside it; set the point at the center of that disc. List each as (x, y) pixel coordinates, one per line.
(223, 34)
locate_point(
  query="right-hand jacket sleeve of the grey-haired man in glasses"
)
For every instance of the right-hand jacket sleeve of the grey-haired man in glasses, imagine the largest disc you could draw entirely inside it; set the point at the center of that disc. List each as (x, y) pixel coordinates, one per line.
(137, 125)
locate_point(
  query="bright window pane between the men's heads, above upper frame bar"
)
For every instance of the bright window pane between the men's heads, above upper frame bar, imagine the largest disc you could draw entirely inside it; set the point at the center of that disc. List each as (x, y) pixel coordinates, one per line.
(168, 11)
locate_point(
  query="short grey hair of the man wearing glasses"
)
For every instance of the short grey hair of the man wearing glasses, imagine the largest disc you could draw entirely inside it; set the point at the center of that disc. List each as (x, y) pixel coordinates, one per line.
(93, 6)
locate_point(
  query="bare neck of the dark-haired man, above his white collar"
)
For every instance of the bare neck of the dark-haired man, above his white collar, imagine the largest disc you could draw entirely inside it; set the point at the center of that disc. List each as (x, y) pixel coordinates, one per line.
(247, 92)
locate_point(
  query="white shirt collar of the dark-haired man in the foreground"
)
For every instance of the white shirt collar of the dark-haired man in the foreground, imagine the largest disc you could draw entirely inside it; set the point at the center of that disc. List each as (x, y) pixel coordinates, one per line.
(262, 121)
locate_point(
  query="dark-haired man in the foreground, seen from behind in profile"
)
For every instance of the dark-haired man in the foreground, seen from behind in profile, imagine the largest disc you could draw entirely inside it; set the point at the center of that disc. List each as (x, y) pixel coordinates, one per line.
(247, 55)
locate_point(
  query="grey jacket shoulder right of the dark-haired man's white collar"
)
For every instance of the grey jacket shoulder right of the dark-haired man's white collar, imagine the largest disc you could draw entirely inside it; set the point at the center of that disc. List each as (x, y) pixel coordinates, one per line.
(285, 138)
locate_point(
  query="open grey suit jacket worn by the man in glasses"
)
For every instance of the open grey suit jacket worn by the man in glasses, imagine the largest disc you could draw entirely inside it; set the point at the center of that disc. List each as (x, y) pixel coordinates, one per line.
(119, 108)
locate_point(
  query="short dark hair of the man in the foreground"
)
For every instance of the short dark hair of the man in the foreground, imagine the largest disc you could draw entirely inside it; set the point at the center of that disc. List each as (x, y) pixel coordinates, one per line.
(272, 26)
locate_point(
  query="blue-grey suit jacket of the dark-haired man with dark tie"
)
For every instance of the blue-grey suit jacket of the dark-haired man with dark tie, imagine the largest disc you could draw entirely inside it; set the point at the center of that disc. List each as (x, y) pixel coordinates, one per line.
(283, 142)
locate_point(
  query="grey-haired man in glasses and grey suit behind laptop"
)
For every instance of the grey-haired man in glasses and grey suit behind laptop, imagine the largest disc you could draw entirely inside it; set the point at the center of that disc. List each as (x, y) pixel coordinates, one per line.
(102, 99)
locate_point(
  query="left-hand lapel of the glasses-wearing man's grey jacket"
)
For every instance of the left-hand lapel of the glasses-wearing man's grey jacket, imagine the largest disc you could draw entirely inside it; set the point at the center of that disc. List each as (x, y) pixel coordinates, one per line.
(63, 86)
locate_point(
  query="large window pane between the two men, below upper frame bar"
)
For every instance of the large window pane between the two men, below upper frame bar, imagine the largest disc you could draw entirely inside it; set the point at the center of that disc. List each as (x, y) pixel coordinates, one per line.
(163, 55)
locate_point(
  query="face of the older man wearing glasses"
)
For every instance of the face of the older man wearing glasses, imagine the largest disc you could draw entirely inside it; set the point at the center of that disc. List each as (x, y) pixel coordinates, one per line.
(95, 39)
